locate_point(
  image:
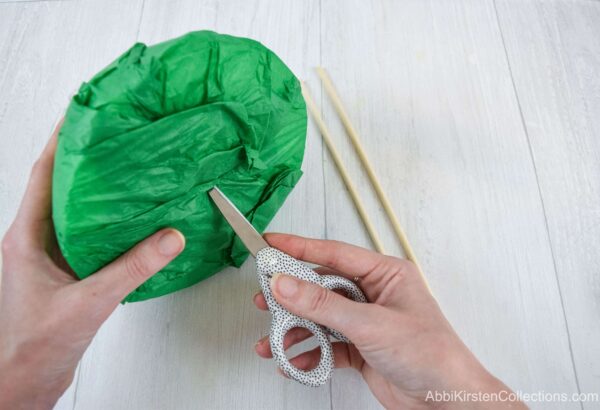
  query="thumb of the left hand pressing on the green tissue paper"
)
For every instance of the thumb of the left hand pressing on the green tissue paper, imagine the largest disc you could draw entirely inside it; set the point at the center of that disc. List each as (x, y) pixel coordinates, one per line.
(130, 270)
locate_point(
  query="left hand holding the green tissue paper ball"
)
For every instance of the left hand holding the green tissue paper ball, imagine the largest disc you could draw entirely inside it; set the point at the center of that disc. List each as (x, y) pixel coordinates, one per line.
(47, 316)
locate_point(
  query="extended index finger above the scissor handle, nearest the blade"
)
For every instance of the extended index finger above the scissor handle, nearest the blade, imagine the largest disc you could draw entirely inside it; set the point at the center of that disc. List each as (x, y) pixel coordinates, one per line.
(349, 260)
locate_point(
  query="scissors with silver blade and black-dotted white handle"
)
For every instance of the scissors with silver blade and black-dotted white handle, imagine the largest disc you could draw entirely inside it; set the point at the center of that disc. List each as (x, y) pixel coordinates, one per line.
(270, 261)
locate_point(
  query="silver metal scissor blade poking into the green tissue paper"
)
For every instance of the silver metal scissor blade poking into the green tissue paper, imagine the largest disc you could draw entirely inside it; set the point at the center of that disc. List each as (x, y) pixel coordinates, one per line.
(244, 229)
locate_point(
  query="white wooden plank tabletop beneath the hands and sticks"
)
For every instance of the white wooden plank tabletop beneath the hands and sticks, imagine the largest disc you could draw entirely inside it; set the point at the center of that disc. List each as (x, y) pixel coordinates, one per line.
(482, 119)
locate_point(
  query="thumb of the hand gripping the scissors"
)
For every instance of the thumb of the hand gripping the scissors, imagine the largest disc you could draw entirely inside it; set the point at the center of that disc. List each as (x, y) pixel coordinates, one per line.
(323, 306)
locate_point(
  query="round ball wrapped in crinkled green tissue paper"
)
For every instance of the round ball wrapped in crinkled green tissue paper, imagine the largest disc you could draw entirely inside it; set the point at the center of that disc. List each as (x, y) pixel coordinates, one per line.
(146, 138)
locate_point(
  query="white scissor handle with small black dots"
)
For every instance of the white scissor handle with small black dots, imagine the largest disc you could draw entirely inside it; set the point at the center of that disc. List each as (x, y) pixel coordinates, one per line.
(270, 261)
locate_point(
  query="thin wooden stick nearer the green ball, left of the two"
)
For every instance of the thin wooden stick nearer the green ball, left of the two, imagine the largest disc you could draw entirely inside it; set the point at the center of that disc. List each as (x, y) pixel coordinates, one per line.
(312, 107)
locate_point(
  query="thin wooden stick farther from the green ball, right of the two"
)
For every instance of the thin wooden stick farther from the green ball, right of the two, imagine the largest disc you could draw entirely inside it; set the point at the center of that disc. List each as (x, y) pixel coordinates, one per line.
(337, 103)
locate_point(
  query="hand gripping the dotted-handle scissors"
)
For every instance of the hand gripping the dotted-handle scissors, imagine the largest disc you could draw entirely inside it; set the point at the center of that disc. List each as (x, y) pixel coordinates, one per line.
(402, 344)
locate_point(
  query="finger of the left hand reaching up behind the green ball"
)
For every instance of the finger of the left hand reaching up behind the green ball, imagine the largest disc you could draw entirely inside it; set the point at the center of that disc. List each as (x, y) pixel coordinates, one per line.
(35, 210)
